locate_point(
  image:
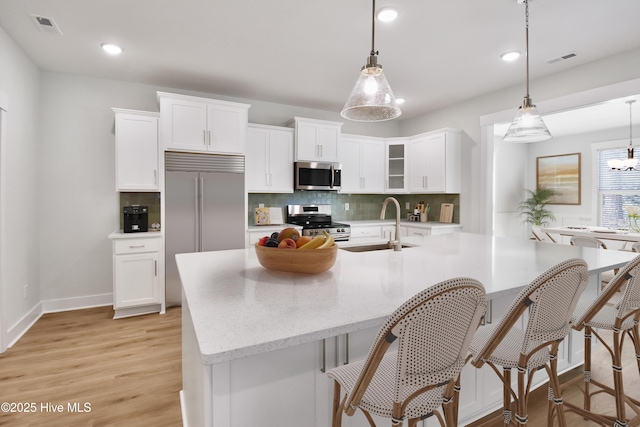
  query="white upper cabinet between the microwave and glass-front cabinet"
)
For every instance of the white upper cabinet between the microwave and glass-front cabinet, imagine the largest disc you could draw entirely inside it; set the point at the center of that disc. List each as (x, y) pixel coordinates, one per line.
(362, 160)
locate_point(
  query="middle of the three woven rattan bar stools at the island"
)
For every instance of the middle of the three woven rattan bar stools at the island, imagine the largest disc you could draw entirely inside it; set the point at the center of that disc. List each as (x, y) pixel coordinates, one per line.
(549, 300)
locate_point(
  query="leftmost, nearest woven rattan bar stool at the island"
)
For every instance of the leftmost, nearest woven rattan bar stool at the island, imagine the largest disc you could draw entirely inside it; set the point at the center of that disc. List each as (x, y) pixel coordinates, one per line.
(433, 331)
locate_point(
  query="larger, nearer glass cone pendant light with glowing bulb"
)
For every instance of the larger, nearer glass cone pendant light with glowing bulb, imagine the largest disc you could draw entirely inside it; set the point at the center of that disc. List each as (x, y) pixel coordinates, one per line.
(371, 99)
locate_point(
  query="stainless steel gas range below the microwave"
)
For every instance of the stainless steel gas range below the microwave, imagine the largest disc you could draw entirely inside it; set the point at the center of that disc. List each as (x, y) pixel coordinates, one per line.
(316, 218)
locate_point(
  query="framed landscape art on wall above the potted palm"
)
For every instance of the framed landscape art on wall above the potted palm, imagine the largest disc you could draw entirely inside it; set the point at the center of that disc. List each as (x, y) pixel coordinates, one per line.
(560, 173)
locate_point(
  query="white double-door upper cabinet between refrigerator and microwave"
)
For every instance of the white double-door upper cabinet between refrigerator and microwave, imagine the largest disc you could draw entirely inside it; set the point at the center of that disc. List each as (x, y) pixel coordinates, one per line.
(269, 160)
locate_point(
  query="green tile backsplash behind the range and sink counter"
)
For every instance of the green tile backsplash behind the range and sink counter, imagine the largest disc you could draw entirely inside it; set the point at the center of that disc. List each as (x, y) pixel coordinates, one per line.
(361, 206)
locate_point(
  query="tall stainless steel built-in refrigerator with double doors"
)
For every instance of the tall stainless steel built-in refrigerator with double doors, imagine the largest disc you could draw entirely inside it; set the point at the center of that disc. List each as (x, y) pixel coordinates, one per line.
(204, 209)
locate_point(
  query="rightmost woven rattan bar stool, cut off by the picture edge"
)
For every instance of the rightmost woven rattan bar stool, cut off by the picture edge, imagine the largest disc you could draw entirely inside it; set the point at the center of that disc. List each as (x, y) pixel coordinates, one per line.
(622, 319)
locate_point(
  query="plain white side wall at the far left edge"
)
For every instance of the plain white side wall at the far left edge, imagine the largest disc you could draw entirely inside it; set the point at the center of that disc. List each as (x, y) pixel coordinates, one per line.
(20, 82)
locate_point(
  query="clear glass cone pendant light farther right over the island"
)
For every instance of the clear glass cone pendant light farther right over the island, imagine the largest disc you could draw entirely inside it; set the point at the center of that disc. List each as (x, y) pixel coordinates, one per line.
(527, 126)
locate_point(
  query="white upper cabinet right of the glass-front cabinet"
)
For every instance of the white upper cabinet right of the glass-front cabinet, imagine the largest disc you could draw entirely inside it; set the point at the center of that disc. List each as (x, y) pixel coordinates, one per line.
(434, 165)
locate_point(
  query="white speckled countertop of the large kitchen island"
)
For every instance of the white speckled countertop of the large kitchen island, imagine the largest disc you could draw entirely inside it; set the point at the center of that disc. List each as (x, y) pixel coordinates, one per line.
(238, 308)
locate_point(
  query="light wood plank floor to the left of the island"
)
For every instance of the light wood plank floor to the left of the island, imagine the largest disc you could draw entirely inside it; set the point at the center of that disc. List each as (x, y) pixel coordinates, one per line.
(128, 370)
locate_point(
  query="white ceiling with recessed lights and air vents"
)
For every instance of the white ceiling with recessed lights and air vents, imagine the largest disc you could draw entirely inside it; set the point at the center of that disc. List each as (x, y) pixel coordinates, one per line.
(308, 54)
